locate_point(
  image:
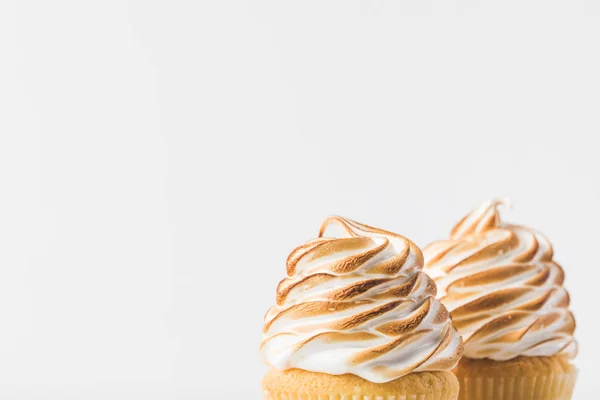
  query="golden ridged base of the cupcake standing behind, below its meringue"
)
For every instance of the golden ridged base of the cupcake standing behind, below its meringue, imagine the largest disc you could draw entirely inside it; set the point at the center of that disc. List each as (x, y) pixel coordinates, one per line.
(523, 378)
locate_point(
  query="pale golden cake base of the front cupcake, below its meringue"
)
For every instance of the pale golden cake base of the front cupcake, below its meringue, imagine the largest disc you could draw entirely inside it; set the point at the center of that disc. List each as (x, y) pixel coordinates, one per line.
(296, 384)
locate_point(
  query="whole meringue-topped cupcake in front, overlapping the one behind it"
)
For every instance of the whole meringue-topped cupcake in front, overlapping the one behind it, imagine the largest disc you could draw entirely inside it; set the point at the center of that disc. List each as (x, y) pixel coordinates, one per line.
(356, 318)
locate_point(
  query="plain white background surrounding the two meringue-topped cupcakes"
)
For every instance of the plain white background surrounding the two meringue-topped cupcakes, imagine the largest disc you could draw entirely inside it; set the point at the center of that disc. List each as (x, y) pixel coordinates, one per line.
(158, 161)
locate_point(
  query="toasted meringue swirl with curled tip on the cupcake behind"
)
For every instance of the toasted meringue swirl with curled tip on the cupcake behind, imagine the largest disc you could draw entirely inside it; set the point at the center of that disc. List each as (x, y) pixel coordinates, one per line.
(503, 288)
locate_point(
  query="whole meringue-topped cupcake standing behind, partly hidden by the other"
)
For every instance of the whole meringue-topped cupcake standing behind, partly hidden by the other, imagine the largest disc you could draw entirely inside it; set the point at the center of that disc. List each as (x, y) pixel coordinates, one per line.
(506, 297)
